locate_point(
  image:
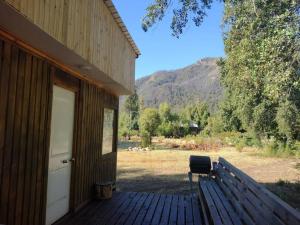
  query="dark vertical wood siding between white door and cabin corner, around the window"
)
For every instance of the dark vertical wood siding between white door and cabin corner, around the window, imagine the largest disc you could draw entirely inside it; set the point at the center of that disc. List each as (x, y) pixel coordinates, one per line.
(91, 165)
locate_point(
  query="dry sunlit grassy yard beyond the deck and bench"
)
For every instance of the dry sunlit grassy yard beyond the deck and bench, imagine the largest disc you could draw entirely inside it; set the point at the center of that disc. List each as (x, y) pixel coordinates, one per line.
(165, 170)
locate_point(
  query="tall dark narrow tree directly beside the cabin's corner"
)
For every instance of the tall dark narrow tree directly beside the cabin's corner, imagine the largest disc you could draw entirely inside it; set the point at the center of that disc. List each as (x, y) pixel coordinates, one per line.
(131, 107)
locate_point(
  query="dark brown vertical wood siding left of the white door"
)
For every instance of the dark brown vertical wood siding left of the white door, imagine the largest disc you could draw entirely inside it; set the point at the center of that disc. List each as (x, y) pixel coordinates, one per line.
(24, 127)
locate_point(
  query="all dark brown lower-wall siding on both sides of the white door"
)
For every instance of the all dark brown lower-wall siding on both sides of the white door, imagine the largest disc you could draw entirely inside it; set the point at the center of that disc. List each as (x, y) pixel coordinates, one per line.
(25, 114)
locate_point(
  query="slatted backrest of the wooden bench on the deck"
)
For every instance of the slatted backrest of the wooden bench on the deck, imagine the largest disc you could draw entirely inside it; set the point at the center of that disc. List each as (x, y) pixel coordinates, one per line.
(252, 201)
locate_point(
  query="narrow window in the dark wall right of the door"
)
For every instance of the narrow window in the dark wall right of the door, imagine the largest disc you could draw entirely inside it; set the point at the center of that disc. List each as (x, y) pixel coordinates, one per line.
(108, 131)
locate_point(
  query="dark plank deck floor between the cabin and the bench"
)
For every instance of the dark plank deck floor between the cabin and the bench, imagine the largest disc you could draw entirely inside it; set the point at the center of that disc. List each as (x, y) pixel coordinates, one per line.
(140, 209)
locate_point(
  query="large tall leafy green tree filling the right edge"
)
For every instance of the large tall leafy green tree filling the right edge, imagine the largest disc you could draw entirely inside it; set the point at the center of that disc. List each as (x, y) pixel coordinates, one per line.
(261, 69)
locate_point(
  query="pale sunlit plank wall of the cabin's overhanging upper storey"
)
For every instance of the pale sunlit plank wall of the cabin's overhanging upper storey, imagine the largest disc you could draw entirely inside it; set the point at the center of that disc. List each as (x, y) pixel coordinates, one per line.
(88, 28)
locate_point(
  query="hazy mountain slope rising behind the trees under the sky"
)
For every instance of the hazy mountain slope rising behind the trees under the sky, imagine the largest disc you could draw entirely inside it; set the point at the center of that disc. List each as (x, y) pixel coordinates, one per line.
(197, 82)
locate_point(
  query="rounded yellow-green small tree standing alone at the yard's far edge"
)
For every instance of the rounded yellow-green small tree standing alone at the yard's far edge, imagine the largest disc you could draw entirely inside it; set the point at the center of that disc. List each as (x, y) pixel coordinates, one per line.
(149, 122)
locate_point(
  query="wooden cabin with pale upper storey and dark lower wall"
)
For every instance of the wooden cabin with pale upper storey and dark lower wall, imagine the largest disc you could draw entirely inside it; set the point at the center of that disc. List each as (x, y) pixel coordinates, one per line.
(63, 66)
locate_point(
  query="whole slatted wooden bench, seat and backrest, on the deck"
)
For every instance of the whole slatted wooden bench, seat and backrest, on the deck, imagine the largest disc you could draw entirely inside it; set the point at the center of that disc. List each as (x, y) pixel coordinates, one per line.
(229, 196)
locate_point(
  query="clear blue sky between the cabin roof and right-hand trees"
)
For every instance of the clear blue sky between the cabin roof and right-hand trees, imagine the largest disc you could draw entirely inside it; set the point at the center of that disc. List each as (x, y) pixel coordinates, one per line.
(160, 50)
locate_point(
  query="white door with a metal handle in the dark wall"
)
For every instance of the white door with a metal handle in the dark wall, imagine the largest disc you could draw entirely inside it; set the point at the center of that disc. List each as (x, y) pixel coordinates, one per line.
(60, 154)
